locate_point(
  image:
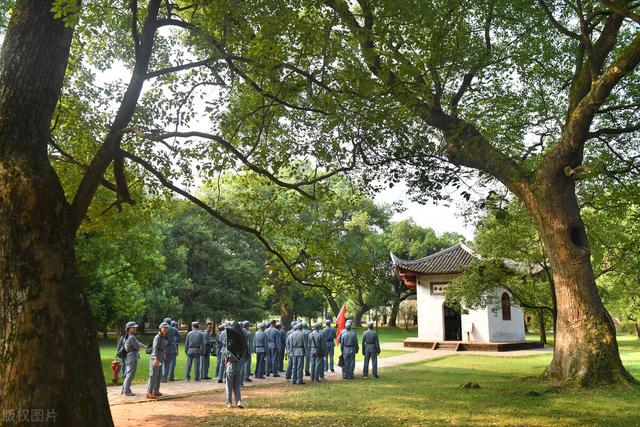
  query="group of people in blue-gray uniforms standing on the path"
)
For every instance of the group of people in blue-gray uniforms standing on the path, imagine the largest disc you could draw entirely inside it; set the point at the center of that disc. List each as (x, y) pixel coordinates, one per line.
(310, 352)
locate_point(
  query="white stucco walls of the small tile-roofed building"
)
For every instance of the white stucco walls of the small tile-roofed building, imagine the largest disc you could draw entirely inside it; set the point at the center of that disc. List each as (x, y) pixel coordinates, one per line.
(483, 324)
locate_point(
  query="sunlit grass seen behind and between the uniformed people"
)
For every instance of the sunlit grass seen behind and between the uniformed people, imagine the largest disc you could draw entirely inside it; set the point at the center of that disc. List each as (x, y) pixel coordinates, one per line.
(108, 351)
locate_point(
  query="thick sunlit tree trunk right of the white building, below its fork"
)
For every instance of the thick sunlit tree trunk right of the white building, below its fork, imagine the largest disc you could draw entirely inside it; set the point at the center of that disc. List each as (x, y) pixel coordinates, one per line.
(586, 350)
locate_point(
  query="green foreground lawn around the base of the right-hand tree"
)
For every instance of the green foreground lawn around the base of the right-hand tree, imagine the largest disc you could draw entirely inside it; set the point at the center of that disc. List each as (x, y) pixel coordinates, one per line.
(510, 394)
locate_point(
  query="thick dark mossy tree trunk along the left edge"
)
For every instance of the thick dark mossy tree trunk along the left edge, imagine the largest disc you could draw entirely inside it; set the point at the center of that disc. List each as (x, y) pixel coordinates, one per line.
(49, 355)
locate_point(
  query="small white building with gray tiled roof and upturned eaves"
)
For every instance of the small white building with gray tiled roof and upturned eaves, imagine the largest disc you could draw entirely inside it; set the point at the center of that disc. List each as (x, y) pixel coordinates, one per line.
(498, 328)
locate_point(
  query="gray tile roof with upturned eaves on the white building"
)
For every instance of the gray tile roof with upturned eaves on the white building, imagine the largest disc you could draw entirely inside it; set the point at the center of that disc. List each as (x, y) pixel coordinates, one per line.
(452, 260)
